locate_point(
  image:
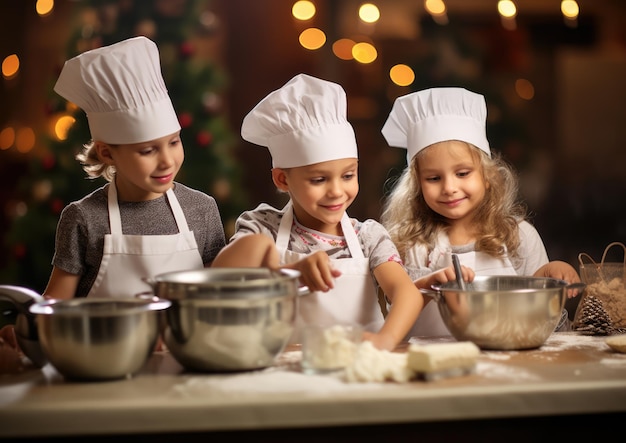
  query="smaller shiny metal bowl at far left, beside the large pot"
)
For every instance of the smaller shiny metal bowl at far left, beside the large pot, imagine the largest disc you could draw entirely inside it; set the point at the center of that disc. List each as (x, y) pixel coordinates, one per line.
(98, 338)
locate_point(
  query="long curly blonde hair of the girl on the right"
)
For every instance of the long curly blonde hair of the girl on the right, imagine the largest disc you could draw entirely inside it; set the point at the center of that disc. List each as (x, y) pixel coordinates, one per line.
(410, 220)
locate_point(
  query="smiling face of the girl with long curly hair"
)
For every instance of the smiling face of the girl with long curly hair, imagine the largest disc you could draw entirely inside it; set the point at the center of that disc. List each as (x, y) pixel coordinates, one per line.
(452, 181)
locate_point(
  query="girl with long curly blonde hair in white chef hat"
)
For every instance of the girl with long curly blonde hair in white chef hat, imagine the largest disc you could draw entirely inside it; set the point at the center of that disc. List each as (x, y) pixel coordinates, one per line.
(456, 196)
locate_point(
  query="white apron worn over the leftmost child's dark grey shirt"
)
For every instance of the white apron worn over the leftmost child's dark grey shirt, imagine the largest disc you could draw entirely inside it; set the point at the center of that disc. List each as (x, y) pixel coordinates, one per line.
(129, 258)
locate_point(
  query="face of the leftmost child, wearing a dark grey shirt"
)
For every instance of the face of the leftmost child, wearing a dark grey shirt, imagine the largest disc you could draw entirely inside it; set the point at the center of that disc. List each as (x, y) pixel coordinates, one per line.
(144, 171)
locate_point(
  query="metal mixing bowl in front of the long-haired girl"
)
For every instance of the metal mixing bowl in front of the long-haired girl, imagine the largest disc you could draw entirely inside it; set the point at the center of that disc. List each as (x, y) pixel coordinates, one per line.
(502, 312)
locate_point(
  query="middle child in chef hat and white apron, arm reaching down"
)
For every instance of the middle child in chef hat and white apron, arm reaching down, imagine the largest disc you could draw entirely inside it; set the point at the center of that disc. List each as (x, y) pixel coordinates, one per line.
(315, 161)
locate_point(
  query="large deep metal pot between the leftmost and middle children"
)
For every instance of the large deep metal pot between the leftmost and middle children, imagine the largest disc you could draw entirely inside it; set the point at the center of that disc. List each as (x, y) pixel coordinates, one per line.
(228, 319)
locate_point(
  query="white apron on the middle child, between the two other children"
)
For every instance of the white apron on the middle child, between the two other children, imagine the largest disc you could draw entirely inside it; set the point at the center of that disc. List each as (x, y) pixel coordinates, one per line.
(352, 300)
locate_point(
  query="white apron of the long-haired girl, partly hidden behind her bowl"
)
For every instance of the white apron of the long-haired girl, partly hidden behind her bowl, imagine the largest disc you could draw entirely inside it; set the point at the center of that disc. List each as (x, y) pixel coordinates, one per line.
(429, 322)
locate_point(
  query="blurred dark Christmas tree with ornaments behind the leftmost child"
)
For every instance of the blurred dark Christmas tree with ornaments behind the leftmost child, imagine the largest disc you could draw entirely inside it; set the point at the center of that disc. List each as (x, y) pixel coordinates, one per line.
(181, 29)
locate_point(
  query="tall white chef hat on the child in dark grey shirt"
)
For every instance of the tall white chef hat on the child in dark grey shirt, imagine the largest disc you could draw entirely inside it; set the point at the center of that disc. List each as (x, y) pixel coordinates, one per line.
(121, 89)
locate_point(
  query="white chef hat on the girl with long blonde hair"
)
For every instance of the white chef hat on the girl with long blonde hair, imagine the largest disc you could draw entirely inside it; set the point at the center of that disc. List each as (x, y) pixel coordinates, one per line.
(419, 119)
